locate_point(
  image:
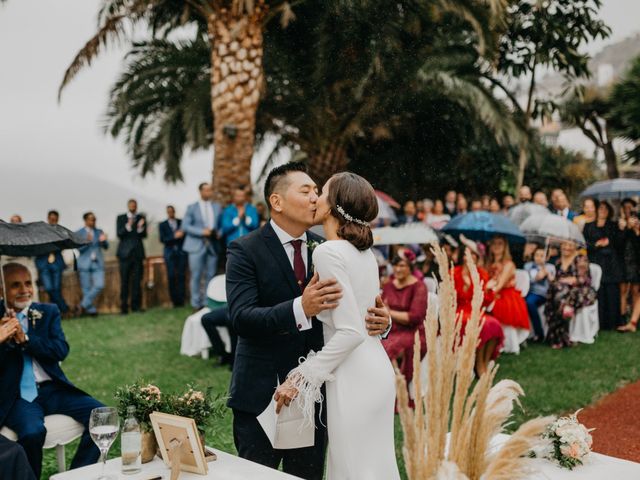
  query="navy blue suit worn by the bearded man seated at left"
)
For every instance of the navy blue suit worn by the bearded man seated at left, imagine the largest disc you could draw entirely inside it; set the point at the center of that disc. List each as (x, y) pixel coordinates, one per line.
(48, 346)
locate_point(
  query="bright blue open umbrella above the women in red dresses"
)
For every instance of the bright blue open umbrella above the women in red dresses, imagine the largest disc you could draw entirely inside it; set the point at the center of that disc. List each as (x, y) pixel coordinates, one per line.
(482, 226)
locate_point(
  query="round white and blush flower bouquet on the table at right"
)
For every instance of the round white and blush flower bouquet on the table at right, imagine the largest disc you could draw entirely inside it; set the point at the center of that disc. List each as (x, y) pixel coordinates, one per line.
(570, 441)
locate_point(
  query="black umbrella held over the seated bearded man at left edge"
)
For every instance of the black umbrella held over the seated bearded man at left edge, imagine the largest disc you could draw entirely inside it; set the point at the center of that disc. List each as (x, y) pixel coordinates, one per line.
(31, 239)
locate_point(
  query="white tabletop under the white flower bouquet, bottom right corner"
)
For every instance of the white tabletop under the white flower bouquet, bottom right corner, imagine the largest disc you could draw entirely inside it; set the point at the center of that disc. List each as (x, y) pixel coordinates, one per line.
(597, 467)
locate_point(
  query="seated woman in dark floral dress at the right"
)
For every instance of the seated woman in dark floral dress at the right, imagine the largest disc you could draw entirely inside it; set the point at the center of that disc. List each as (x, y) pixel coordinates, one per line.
(569, 291)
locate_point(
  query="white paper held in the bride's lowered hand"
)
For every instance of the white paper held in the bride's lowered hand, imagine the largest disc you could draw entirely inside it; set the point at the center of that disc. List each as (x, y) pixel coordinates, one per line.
(286, 430)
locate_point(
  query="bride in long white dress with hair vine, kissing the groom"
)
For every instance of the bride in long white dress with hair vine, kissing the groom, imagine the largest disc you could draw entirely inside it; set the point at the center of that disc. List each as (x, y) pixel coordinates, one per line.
(360, 388)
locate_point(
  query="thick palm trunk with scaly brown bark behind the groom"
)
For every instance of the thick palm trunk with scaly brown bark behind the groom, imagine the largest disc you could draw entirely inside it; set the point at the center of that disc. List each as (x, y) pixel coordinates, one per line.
(236, 84)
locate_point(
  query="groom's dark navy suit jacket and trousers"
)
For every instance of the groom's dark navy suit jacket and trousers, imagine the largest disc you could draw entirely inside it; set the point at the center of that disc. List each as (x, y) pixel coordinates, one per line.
(261, 288)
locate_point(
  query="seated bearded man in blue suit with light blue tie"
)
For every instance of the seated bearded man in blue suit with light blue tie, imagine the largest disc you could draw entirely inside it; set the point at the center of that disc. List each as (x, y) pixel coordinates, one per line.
(32, 384)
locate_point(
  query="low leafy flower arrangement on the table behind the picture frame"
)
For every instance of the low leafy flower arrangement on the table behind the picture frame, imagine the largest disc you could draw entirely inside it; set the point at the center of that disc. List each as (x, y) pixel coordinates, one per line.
(202, 406)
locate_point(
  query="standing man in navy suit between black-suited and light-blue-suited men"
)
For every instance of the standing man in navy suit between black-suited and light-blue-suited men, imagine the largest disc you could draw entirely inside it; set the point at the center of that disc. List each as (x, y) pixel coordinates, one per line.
(175, 260)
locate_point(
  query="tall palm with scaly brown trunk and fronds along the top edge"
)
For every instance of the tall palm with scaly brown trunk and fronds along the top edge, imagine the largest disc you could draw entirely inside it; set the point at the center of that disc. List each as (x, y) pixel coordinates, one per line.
(234, 32)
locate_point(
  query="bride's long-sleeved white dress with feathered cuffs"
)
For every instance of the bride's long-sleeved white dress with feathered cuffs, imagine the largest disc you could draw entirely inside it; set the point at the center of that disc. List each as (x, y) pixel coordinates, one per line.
(360, 387)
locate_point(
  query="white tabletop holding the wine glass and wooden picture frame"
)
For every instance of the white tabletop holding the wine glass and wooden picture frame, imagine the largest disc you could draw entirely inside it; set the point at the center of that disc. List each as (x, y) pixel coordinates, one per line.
(226, 467)
